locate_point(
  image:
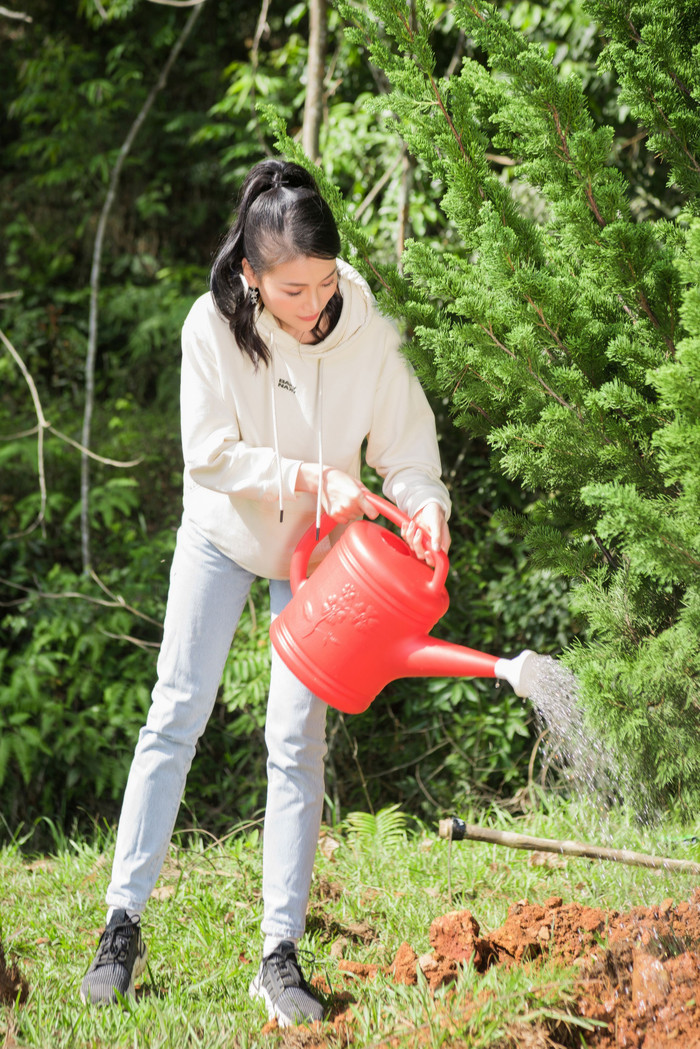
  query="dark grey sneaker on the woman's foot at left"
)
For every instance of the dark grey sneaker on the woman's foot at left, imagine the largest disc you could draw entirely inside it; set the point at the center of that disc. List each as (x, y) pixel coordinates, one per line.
(120, 960)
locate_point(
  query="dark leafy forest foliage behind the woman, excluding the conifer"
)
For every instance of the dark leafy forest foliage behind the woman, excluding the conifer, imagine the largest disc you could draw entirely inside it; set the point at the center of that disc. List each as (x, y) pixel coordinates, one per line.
(77, 675)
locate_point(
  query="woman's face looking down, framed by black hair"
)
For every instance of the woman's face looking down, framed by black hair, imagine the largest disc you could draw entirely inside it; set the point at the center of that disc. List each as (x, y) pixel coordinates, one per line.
(296, 293)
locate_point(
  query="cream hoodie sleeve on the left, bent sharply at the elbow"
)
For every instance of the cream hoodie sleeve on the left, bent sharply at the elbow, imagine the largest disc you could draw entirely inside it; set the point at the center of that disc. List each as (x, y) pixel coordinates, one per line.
(216, 456)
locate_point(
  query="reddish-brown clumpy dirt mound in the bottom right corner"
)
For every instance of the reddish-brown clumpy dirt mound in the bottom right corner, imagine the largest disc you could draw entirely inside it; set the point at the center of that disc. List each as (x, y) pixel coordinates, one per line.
(640, 971)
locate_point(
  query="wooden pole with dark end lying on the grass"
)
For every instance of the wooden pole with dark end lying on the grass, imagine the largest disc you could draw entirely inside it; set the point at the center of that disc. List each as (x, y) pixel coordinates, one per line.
(457, 830)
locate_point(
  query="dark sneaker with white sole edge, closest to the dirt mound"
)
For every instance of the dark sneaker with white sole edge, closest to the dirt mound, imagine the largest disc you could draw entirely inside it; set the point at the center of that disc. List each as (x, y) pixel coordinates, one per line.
(284, 990)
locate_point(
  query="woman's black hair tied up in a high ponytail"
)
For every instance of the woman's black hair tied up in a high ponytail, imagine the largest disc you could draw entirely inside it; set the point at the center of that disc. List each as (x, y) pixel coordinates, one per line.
(281, 217)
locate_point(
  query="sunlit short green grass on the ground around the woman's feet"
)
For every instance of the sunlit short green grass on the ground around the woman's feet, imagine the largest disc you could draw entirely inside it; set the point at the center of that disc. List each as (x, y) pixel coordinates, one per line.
(385, 884)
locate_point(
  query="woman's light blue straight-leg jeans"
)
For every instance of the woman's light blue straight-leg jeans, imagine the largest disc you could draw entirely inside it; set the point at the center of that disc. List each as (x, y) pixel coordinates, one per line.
(208, 592)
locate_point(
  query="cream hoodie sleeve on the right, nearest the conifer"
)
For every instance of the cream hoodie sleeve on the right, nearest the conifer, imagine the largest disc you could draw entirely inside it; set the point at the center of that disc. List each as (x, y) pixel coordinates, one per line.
(402, 445)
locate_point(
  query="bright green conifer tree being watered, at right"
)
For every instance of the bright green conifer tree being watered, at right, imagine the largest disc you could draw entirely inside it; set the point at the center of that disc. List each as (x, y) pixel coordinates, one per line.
(570, 342)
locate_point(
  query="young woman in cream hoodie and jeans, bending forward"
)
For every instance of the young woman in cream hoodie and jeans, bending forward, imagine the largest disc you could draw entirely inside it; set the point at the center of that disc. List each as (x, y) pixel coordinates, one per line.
(288, 370)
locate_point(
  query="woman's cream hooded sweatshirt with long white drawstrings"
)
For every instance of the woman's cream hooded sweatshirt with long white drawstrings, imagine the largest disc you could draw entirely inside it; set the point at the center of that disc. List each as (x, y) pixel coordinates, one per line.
(246, 433)
